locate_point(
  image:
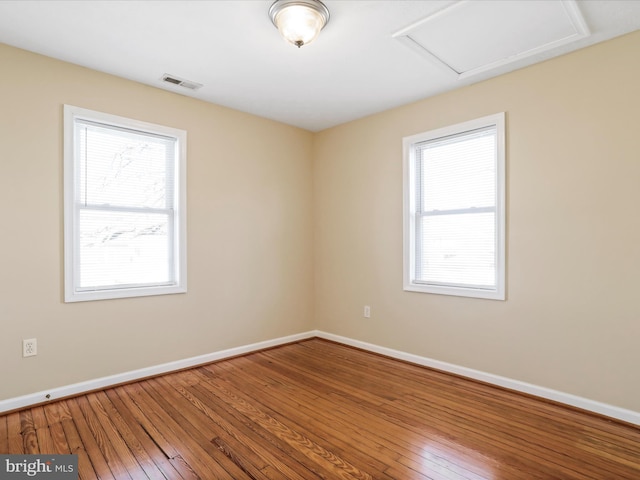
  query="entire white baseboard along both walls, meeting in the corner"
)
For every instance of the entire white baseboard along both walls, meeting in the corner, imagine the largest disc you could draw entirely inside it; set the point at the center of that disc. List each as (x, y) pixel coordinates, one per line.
(611, 411)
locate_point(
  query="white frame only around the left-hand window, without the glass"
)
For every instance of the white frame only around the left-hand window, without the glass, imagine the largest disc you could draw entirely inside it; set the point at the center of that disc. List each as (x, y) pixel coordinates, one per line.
(72, 292)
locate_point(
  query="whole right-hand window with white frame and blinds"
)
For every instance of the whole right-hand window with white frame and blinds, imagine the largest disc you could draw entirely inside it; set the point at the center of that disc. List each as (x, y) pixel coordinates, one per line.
(454, 213)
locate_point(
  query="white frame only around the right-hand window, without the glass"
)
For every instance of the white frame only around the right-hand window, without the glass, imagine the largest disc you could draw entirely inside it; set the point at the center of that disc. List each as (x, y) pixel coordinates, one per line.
(410, 191)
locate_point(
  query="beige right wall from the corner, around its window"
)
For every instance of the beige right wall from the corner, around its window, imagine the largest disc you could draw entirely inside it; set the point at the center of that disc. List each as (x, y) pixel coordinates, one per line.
(572, 318)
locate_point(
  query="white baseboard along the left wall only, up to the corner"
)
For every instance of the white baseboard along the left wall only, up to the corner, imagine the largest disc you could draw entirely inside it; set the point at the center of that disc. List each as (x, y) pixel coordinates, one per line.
(104, 382)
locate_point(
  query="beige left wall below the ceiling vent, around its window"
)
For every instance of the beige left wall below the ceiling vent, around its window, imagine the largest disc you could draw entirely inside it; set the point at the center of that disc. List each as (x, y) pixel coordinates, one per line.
(249, 232)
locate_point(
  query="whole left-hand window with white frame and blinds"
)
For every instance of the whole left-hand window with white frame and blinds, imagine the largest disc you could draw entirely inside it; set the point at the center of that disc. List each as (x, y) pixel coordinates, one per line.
(125, 207)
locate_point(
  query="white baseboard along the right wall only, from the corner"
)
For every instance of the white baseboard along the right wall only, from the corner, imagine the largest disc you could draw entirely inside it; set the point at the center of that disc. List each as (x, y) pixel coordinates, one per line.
(611, 411)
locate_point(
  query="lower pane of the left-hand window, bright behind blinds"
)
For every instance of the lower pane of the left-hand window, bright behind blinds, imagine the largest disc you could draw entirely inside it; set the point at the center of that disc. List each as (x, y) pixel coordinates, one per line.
(122, 248)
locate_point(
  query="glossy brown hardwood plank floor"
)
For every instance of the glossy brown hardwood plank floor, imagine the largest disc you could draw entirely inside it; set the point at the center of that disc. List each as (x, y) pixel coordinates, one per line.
(316, 409)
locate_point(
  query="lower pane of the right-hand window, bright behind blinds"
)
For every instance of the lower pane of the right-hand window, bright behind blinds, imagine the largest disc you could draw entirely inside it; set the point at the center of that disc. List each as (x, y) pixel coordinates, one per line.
(458, 250)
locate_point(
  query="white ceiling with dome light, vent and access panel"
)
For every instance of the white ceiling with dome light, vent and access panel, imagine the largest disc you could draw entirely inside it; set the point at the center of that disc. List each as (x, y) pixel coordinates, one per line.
(372, 55)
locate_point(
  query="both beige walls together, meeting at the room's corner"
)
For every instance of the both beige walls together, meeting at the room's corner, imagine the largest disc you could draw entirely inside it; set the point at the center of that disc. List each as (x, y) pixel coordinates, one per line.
(572, 318)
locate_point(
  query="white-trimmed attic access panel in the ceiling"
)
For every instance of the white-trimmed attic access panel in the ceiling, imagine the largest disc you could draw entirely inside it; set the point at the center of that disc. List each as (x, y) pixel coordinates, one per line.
(470, 37)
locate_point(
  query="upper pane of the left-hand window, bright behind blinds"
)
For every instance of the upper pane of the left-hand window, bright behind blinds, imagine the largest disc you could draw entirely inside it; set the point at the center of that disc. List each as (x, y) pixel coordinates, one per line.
(124, 168)
